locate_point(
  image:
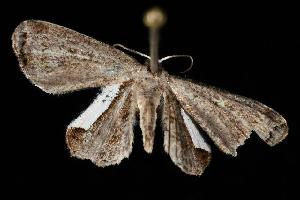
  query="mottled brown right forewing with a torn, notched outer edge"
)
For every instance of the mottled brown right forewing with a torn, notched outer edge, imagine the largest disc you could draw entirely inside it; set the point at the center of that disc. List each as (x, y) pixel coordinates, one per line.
(228, 119)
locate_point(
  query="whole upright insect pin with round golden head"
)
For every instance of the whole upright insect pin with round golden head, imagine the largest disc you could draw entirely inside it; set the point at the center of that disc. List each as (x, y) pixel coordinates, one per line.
(154, 19)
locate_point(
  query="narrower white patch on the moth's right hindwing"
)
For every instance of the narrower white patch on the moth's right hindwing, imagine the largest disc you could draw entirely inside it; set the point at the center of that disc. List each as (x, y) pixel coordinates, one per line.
(196, 136)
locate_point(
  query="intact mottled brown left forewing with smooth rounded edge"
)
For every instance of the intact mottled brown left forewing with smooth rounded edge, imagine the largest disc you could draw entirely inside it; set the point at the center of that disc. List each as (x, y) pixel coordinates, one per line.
(59, 60)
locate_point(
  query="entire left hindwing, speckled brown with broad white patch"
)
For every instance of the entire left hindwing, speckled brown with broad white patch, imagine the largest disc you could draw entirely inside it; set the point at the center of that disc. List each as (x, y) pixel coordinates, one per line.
(104, 132)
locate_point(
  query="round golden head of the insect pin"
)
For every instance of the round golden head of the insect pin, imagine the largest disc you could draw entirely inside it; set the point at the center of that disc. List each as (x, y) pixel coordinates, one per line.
(154, 18)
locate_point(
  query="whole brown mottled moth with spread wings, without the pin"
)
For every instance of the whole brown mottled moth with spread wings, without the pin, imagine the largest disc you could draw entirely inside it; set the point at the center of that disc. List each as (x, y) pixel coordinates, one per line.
(59, 60)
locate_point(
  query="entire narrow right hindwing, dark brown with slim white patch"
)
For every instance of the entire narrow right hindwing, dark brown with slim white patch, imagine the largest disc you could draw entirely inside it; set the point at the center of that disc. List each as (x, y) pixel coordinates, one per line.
(182, 140)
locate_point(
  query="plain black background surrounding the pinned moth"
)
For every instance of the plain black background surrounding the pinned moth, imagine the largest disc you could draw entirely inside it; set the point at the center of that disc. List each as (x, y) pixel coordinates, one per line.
(252, 50)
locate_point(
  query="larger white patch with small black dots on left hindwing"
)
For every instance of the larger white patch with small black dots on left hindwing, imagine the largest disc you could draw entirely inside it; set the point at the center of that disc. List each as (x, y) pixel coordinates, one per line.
(99, 106)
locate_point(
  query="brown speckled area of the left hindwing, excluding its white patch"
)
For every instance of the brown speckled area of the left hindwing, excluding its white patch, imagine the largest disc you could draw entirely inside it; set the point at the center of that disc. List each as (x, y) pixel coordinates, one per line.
(110, 137)
